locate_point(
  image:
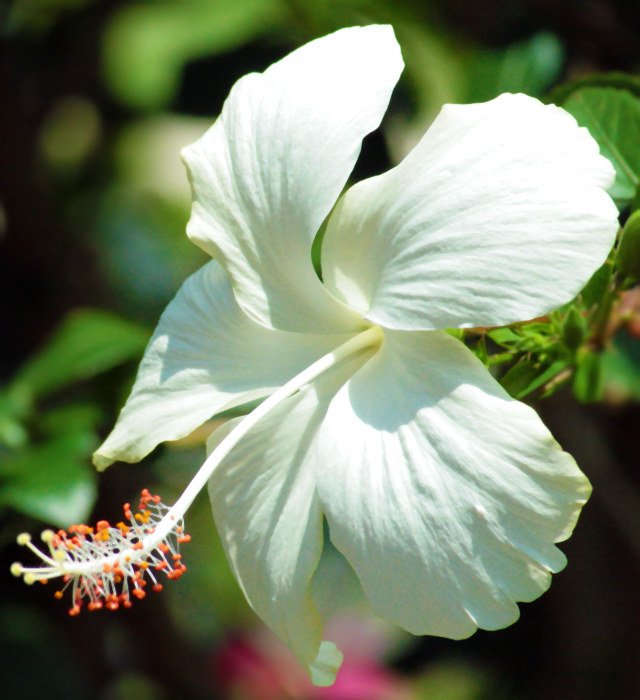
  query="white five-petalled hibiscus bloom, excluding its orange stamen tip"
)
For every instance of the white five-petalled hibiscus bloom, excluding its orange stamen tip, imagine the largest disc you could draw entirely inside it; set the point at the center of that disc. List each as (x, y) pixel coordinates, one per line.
(445, 495)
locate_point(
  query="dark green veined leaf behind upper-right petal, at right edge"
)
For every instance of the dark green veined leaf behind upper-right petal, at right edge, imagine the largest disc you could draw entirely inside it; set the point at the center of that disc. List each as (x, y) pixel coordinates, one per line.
(613, 119)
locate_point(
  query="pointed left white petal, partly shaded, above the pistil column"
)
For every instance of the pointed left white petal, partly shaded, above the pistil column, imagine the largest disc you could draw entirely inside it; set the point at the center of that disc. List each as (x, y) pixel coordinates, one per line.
(206, 355)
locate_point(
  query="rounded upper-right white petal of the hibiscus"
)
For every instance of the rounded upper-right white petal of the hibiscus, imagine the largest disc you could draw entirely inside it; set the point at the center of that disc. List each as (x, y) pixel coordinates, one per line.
(498, 215)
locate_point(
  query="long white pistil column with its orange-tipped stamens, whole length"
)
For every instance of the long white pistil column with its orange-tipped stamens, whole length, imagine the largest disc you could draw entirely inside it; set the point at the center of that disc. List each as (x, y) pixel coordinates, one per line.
(107, 565)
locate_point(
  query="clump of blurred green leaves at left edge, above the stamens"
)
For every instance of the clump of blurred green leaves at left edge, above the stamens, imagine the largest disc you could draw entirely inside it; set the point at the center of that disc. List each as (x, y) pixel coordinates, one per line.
(45, 450)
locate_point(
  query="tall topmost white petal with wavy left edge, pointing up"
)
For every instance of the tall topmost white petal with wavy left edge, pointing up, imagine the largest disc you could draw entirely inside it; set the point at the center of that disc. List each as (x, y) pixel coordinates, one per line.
(271, 168)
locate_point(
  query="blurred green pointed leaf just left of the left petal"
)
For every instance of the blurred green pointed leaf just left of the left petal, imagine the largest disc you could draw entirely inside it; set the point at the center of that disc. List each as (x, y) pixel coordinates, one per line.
(88, 342)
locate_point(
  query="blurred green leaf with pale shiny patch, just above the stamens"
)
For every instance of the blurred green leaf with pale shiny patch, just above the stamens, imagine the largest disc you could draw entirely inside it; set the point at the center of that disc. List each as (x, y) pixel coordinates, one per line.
(52, 482)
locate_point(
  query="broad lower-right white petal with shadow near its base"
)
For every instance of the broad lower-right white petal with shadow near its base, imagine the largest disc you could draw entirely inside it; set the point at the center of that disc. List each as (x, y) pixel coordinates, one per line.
(445, 495)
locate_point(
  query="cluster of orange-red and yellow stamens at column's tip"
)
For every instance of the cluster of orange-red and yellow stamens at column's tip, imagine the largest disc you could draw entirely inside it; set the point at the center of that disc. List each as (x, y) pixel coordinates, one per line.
(107, 565)
